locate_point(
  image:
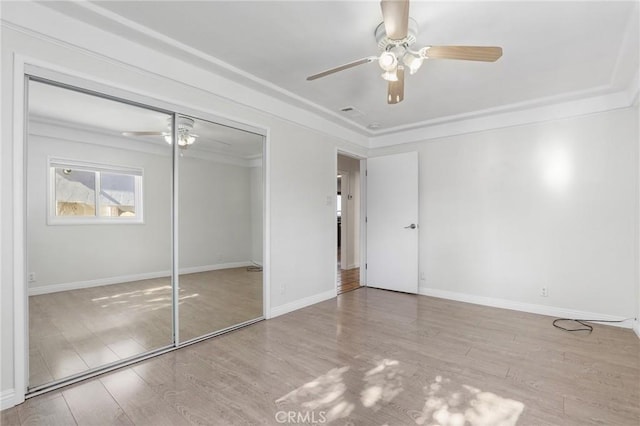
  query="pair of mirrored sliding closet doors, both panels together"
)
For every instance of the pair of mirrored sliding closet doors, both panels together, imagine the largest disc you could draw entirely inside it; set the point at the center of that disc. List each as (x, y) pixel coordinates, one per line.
(144, 231)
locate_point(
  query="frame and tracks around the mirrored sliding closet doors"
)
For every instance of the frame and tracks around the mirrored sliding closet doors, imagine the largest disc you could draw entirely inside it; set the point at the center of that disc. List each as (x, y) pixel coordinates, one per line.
(28, 69)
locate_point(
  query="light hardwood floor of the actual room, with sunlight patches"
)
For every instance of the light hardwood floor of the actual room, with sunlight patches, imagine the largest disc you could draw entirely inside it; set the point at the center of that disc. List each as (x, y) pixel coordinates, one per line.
(370, 357)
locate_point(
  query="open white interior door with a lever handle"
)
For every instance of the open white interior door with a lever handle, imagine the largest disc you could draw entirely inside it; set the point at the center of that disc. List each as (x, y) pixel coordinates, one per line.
(392, 222)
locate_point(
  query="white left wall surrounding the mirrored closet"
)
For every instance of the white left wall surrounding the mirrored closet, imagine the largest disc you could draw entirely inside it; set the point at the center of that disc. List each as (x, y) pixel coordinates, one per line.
(300, 154)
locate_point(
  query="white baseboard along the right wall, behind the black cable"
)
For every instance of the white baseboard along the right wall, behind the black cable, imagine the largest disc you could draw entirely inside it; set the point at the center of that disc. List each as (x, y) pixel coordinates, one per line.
(524, 307)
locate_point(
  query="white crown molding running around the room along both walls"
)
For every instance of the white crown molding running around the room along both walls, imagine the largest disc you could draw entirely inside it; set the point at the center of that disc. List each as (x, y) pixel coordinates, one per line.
(613, 95)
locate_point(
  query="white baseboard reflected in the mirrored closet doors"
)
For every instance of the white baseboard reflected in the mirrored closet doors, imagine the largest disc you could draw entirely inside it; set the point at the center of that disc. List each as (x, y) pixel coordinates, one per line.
(54, 288)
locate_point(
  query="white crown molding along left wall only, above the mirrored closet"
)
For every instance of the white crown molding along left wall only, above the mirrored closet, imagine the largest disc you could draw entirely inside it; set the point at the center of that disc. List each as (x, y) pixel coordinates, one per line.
(51, 26)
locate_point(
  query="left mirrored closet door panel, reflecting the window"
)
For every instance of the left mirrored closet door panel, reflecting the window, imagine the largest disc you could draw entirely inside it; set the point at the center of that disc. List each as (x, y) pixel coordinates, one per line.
(99, 227)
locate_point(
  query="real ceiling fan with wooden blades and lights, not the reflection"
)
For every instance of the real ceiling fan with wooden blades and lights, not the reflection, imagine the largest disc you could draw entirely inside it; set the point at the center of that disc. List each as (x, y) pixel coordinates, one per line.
(395, 36)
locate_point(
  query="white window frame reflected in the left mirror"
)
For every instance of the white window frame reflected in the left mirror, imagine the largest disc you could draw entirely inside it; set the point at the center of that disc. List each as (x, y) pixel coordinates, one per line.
(98, 169)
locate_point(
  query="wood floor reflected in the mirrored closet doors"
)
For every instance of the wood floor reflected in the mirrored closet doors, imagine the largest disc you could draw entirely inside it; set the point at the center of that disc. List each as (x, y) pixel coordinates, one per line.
(73, 331)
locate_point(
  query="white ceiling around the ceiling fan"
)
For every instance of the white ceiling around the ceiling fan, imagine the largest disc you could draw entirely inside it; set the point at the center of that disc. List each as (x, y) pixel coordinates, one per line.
(553, 51)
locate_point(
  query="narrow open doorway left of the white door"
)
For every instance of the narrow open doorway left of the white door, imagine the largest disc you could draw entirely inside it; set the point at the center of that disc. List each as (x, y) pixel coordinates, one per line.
(348, 223)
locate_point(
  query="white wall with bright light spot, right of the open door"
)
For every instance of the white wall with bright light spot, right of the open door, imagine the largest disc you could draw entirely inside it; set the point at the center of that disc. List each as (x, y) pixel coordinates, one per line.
(555, 204)
